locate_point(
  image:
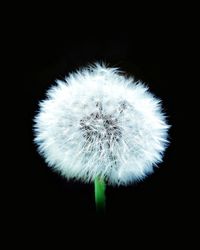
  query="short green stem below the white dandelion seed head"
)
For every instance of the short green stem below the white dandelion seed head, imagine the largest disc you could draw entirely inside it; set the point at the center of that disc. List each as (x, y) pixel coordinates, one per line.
(99, 190)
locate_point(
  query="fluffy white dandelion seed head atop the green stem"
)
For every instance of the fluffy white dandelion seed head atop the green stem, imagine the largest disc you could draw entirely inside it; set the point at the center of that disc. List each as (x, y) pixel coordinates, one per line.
(99, 123)
